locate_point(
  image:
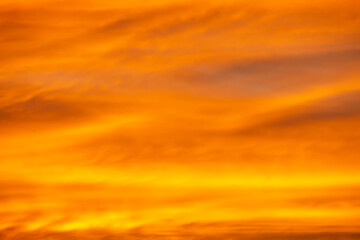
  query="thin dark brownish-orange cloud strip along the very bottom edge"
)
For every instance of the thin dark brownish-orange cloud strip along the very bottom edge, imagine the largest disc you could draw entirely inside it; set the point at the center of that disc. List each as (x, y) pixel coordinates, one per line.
(14, 234)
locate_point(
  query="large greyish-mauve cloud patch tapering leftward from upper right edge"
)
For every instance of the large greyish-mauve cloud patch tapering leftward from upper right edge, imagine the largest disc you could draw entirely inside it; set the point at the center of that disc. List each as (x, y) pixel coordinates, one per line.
(274, 76)
